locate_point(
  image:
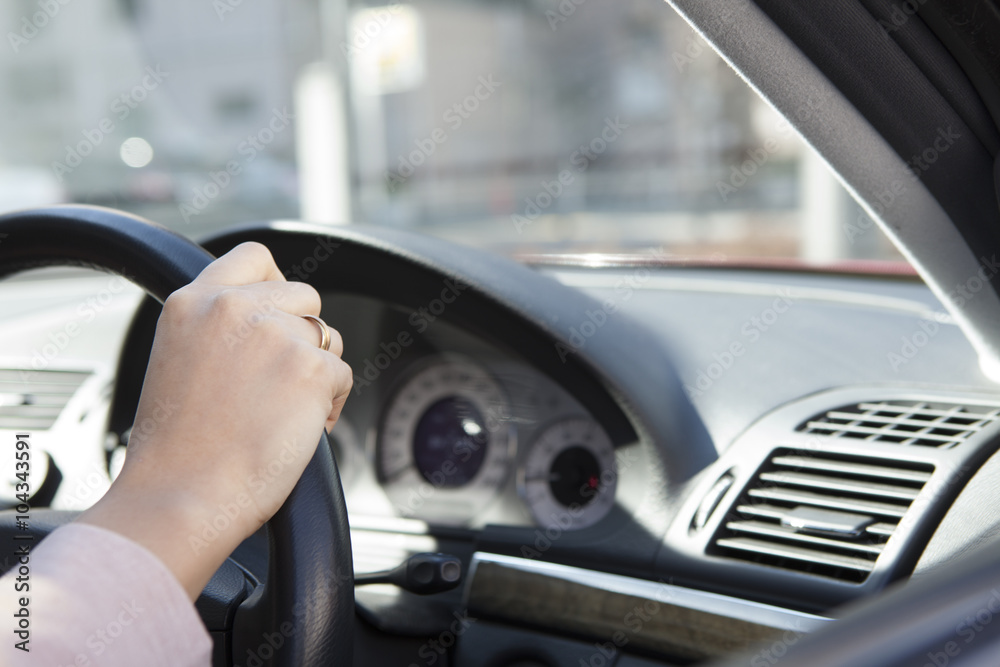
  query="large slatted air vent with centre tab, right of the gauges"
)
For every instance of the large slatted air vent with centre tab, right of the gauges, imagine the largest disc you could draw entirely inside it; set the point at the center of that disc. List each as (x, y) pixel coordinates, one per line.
(820, 513)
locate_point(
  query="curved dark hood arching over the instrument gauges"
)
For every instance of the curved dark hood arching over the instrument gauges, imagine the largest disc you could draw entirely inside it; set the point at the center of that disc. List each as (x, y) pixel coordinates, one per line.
(523, 308)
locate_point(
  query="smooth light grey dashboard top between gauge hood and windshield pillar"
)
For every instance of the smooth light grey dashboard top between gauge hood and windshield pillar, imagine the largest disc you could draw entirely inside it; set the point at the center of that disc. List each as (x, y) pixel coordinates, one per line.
(834, 331)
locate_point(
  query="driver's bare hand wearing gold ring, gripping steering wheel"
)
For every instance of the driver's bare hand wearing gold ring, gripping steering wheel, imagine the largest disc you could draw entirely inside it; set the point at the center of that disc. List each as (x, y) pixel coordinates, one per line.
(236, 395)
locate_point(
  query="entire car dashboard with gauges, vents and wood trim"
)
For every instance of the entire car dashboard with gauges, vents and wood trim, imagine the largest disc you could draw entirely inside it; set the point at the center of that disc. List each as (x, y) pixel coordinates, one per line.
(539, 423)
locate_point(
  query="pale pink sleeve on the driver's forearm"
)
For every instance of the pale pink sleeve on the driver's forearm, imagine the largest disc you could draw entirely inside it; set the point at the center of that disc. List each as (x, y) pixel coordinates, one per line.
(97, 598)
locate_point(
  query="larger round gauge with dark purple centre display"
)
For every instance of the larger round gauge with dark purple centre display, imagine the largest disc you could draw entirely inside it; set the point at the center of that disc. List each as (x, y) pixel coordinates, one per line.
(444, 444)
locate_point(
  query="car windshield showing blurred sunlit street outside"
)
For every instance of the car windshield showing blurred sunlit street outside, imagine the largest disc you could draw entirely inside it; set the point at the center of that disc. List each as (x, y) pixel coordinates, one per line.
(529, 126)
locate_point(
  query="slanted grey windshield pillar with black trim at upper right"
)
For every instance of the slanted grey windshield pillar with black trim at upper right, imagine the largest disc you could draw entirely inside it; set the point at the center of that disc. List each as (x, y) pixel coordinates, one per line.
(902, 100)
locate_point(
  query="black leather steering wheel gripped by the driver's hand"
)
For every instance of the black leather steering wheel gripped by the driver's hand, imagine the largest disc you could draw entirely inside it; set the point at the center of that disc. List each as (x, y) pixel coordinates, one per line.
(310, 582)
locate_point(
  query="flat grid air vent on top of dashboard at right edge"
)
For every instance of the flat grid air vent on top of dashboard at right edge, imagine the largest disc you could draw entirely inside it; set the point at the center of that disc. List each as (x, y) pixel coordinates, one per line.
(941, 425)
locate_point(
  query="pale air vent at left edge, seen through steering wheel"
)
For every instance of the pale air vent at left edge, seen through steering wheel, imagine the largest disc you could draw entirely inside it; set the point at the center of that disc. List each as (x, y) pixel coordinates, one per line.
(33, 400)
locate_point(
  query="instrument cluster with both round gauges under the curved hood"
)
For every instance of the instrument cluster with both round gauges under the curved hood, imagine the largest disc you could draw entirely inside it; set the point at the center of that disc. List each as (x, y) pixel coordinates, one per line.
(459, 442)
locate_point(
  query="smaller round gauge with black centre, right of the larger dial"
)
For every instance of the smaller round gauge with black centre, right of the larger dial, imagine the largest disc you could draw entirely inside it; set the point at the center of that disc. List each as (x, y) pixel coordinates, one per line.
(568, 478)
